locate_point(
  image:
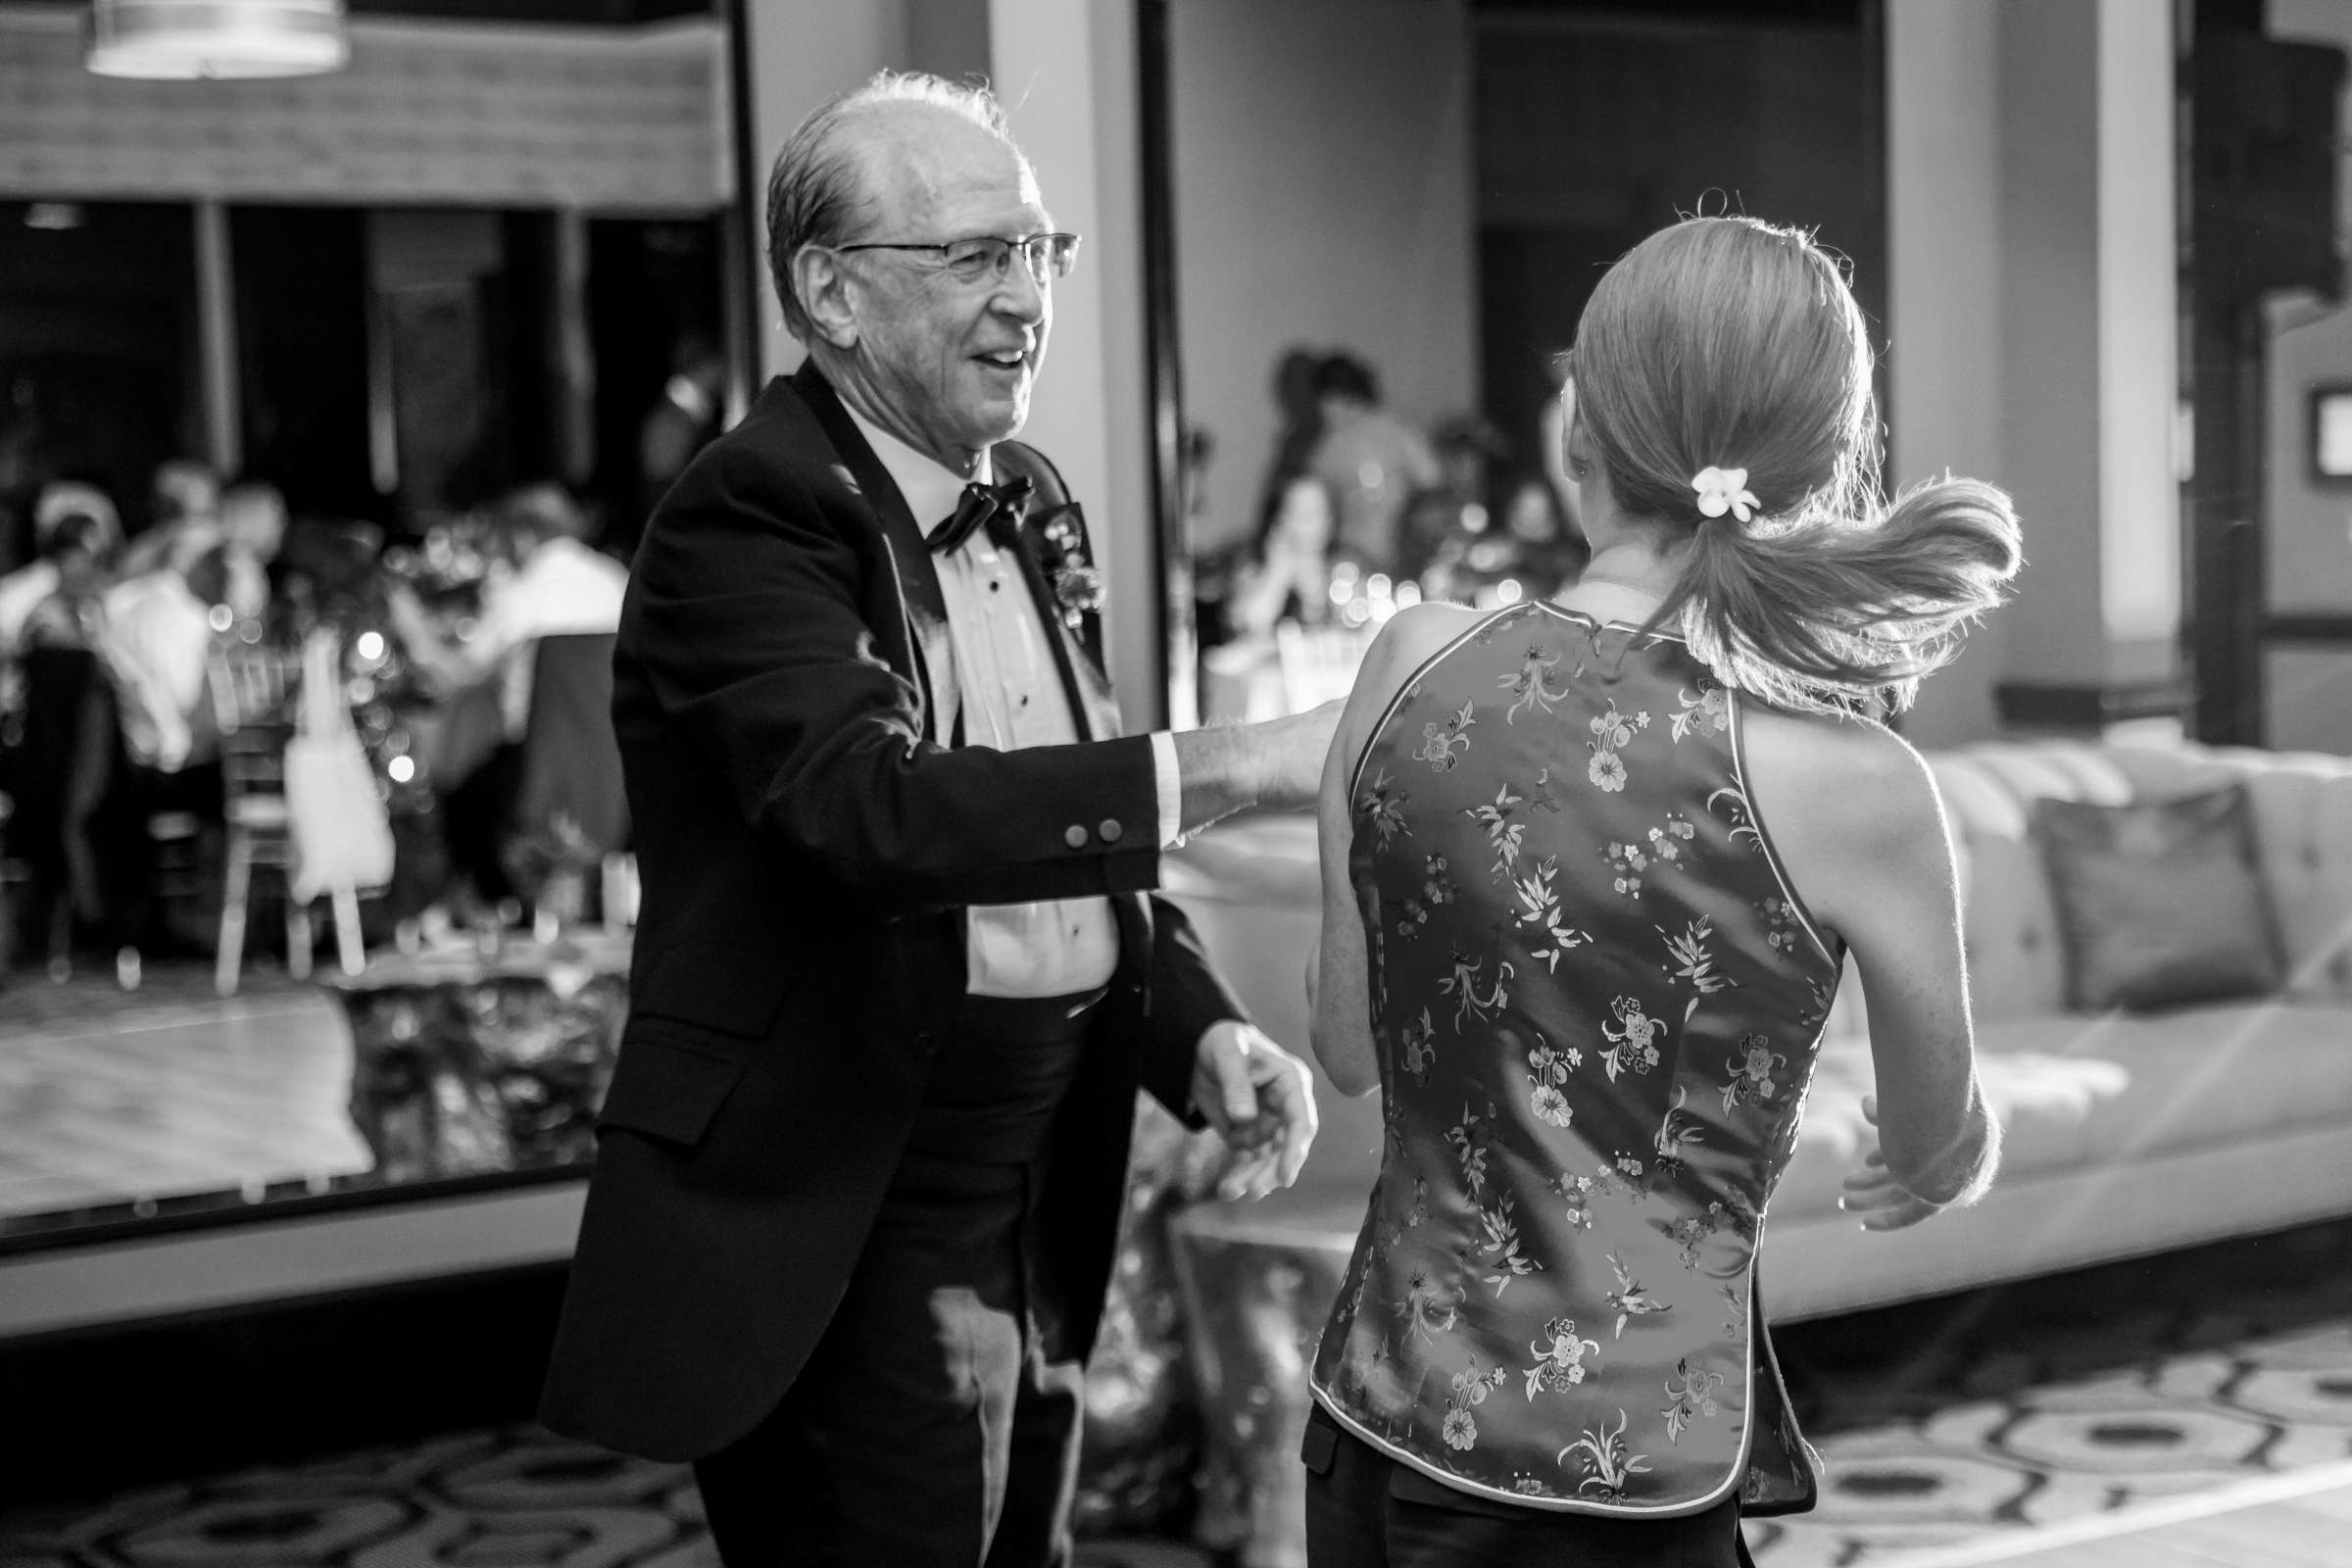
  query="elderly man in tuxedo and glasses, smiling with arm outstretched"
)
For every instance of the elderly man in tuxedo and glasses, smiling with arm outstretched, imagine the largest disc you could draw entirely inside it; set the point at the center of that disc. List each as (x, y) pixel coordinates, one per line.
(897, 970)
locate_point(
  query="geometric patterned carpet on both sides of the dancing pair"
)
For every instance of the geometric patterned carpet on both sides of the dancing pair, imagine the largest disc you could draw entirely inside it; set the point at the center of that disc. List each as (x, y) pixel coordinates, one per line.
(2130, 1386)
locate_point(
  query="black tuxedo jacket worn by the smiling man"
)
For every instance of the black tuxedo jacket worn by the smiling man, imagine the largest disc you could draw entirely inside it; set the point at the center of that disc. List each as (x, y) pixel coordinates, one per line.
(808, 845)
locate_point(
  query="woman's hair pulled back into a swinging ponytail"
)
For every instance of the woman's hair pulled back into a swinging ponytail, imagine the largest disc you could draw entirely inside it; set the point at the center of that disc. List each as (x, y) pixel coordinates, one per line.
(1737, 344)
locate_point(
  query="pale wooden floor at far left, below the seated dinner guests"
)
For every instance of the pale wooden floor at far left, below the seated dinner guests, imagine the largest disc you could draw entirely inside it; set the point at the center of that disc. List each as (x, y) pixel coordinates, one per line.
(171, 1097)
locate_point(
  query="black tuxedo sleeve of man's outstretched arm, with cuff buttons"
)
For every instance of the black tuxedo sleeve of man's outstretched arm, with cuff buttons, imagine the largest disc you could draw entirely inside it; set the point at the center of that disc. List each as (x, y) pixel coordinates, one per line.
(747, 636)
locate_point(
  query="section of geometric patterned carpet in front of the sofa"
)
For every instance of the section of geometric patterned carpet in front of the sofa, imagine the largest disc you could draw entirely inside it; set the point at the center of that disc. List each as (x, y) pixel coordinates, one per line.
(1979, 1416)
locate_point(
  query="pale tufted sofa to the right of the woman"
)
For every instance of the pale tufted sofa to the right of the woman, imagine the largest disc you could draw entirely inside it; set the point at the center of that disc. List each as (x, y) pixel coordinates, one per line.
(2127, 1134)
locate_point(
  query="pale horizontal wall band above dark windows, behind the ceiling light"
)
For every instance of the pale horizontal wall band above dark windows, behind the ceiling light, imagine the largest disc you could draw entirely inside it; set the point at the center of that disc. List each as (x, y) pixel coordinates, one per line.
(425, 114)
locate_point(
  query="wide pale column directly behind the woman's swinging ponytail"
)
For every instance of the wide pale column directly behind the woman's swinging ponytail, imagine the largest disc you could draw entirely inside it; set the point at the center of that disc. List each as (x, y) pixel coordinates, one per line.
(2033, 337)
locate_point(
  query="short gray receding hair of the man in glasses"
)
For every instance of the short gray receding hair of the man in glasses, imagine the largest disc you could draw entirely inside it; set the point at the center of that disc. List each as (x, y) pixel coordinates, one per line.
(815, 192)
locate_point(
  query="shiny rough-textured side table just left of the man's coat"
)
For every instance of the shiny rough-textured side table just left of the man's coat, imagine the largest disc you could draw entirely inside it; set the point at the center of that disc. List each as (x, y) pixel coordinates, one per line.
(469, 1061)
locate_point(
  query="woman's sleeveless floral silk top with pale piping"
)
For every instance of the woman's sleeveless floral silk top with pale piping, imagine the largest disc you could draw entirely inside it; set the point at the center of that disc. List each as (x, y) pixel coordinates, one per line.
(1598, 1010)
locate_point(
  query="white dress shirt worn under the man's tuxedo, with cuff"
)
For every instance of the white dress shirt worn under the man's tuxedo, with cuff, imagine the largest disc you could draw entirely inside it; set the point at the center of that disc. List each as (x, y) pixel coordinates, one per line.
(1010, 695)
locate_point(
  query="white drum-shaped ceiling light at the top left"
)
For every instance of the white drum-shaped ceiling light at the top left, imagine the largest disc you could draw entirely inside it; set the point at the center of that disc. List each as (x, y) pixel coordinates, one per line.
(215, 39)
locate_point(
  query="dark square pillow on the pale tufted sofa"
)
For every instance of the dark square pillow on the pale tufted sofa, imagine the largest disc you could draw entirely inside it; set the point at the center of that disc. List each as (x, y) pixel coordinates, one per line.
(2160, 904)
